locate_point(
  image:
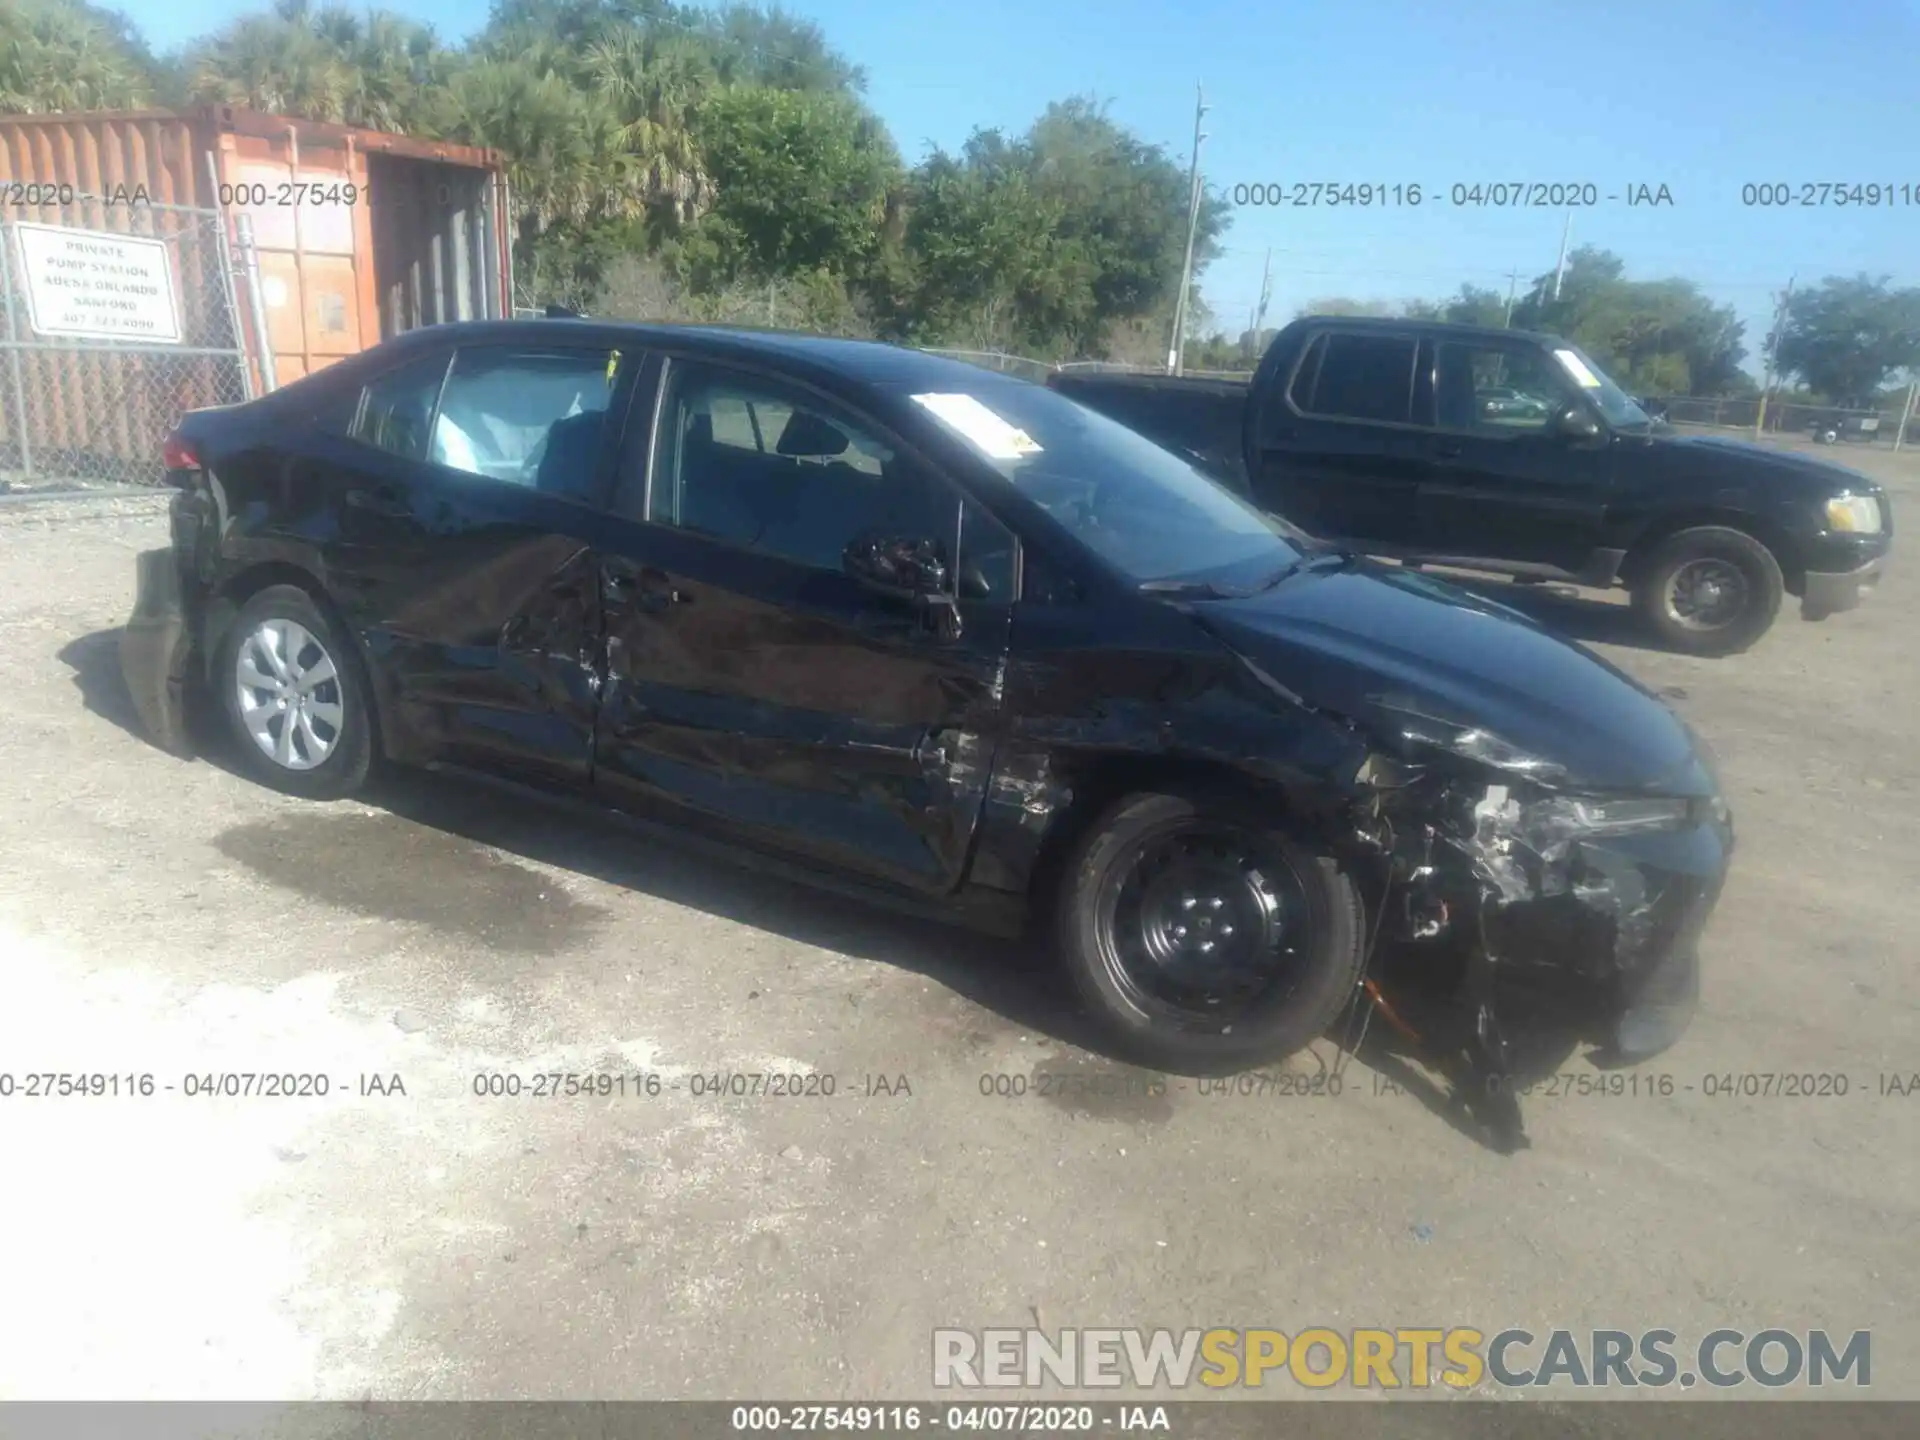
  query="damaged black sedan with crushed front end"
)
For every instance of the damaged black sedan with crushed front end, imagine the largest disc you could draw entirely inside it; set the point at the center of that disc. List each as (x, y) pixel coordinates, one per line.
(946, 640)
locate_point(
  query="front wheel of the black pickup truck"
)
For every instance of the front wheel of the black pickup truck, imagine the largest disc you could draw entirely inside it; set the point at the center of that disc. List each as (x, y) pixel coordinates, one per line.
(1710, 590)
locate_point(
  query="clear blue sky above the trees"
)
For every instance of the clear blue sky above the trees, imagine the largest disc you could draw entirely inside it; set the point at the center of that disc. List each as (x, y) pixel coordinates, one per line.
(1696, 95)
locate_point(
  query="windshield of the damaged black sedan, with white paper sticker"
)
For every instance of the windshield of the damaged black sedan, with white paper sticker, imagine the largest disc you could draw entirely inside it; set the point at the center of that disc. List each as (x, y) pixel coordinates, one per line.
(1143, 510)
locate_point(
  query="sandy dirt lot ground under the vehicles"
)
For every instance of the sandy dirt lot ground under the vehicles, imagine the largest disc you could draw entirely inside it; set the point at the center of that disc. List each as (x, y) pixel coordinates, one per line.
(166, 917)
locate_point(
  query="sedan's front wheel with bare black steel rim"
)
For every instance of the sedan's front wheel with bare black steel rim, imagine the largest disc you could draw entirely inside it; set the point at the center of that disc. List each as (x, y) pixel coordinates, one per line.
(1276, 903)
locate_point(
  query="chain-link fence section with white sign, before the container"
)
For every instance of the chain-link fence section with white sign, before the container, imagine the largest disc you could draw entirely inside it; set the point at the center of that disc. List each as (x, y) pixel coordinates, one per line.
(120, 318)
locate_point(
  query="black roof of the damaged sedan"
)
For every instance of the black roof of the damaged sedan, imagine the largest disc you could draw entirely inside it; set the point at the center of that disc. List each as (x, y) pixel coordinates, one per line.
(857, 360)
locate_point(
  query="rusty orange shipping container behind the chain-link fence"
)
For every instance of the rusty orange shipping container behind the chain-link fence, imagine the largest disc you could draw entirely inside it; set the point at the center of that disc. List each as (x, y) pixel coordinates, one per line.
(358, 235)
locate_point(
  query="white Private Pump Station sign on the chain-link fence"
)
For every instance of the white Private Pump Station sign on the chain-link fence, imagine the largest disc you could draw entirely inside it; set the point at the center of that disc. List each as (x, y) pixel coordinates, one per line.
(95, 285)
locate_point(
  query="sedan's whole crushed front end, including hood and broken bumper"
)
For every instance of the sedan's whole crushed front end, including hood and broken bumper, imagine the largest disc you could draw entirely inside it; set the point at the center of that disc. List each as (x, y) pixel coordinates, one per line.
(1545, 834)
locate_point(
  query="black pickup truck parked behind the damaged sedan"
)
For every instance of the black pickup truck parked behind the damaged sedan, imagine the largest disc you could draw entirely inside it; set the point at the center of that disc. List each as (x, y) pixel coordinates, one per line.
(1512, 452)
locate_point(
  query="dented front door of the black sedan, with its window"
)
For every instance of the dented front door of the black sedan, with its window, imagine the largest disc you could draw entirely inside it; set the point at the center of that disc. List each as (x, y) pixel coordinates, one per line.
(754, 686)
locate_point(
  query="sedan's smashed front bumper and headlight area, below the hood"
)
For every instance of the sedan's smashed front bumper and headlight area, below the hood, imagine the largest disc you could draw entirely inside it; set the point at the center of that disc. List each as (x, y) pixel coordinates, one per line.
(1572, 905)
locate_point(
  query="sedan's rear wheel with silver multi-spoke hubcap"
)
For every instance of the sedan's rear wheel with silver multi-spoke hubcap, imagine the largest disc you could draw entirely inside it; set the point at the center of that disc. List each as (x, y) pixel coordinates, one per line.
(300, 719)
